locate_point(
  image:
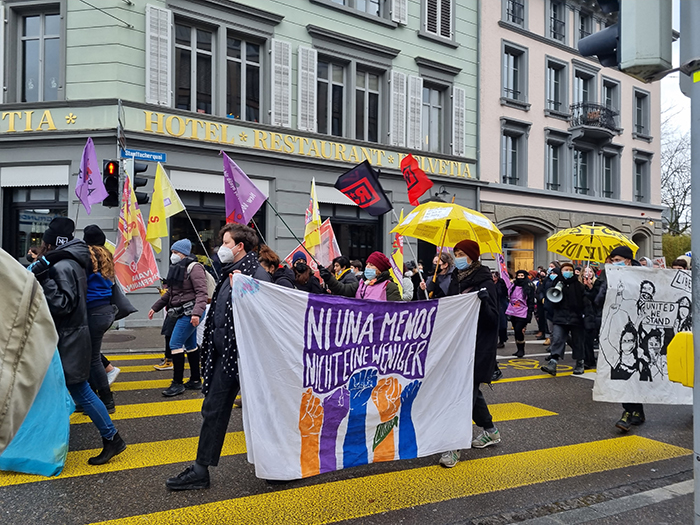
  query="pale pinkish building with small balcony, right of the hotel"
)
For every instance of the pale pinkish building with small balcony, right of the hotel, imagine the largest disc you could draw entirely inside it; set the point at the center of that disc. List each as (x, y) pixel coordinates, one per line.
(562, 140)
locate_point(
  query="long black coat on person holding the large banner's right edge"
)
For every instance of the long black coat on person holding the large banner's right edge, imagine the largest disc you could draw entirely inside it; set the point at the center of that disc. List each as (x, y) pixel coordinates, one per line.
(487, 324)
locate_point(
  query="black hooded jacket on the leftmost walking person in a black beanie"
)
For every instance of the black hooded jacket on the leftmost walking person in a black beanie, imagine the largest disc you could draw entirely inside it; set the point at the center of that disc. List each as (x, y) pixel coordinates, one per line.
(65, 288)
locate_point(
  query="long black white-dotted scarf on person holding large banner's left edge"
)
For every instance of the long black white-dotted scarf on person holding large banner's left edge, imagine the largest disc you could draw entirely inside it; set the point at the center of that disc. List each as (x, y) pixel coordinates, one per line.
(248, 265)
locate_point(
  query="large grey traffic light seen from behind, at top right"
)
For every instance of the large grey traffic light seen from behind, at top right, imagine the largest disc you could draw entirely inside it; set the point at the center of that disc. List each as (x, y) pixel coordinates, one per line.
(639, 44)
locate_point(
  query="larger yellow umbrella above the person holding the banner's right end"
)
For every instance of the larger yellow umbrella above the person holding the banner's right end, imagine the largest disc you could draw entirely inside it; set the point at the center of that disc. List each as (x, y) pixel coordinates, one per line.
(428, 222)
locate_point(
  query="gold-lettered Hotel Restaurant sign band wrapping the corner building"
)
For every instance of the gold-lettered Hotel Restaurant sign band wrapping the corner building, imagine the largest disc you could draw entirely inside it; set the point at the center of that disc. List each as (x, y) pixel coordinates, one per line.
(229, 135)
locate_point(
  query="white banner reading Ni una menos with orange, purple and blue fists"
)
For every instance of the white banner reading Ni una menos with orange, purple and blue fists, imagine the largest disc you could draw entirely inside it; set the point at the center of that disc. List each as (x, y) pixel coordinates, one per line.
(342, 382)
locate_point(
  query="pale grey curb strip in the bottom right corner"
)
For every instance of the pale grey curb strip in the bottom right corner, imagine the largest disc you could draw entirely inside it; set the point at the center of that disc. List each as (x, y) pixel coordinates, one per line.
(617, 506)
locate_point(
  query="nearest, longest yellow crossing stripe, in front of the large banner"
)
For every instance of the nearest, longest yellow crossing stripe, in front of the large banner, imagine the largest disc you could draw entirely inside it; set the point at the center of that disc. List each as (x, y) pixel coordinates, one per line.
(357, 497)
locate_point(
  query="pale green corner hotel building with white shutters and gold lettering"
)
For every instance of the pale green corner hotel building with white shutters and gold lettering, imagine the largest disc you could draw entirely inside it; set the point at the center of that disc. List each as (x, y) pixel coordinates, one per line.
(290, 90)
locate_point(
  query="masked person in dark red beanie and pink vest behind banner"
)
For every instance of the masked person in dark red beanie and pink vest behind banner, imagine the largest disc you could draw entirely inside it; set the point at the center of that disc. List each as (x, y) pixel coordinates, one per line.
(376, 283)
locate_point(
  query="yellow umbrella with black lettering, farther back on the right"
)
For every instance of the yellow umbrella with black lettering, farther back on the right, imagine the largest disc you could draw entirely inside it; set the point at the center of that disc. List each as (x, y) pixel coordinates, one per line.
(588, 243)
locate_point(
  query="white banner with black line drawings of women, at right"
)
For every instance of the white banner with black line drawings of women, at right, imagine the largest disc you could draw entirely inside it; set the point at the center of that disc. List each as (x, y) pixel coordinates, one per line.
(644, 309)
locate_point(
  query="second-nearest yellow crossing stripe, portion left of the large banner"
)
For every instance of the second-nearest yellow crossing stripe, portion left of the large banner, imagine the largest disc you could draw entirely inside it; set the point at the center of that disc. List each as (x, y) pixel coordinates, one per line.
(135, 456)
